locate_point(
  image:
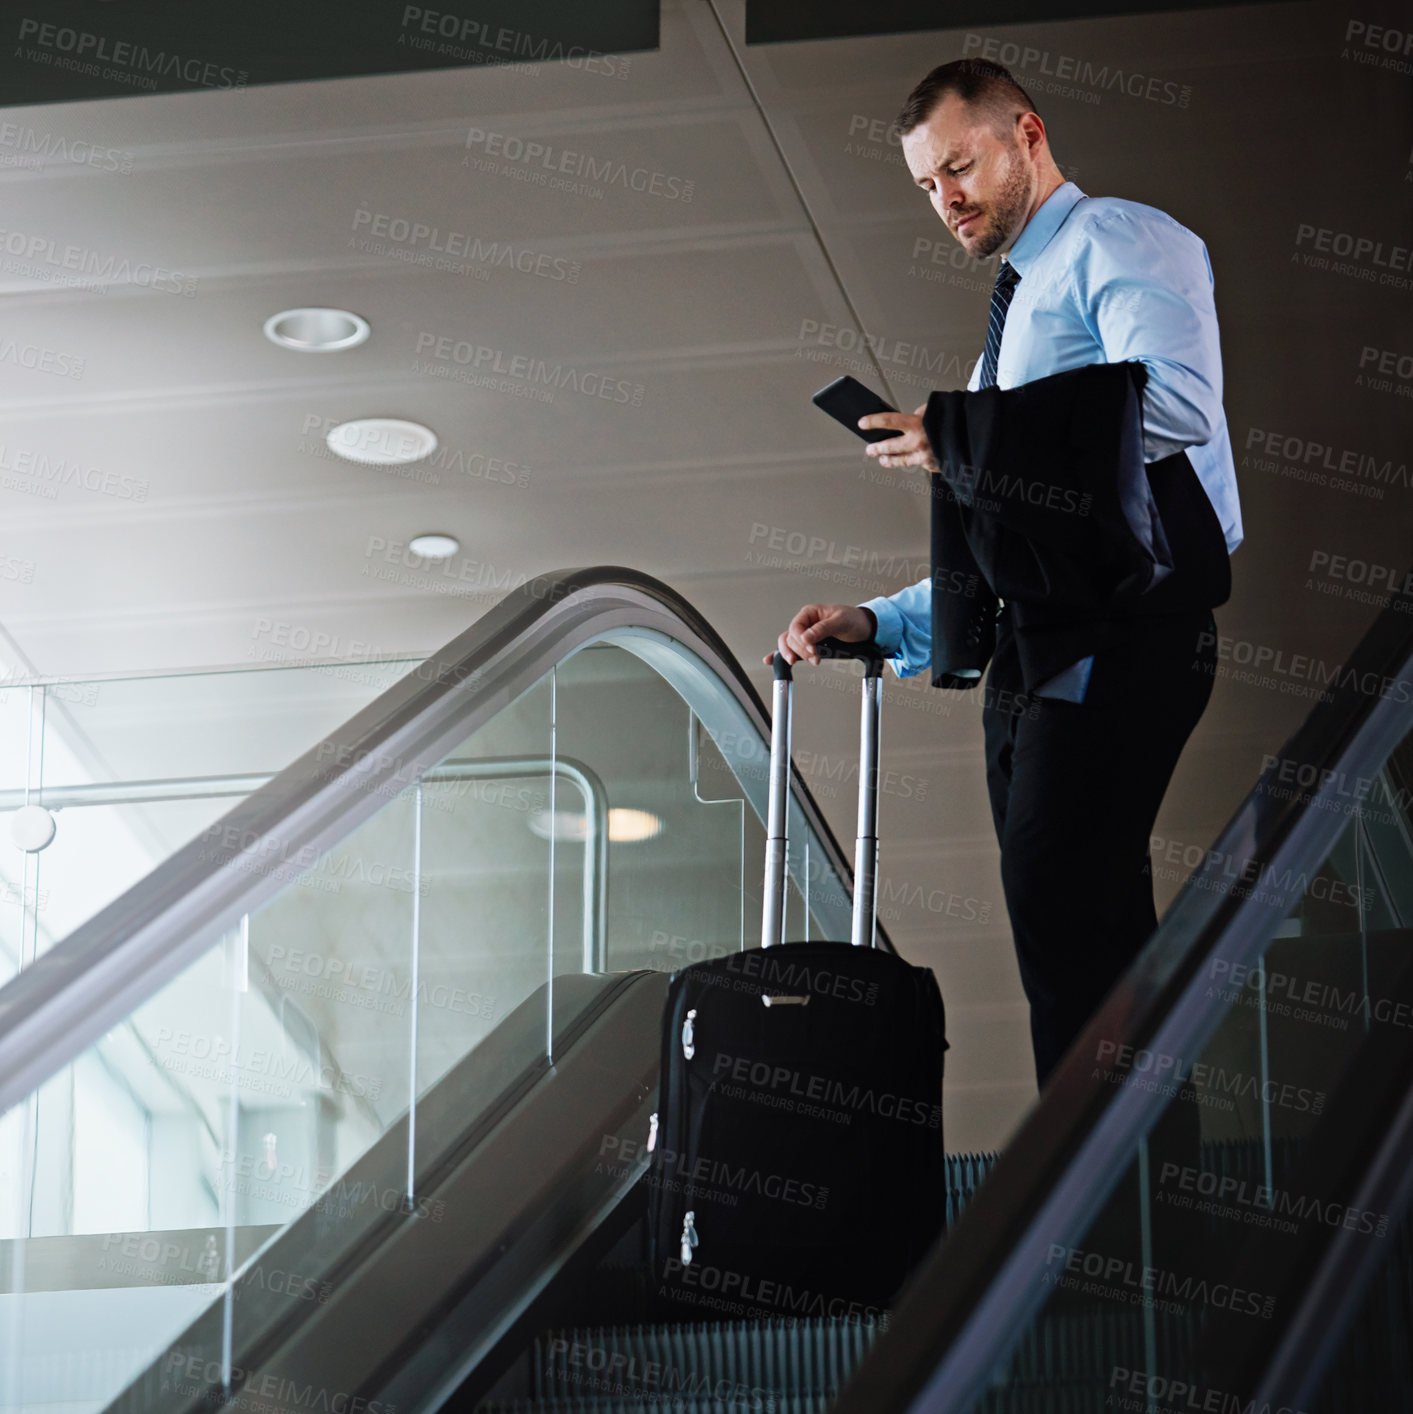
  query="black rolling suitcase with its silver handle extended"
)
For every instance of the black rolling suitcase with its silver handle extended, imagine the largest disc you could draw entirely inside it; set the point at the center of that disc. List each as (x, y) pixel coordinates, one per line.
(798, 1164)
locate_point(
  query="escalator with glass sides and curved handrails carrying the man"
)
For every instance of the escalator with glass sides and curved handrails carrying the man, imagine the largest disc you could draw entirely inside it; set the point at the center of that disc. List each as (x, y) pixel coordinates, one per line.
(409, 993)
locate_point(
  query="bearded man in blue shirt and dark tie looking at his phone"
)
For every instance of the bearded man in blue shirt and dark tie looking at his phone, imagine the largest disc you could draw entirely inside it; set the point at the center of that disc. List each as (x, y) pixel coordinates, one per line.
(1077, 776)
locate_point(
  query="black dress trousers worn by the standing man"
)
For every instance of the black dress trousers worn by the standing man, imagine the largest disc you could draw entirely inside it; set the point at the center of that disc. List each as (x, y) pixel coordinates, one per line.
(1076, 790)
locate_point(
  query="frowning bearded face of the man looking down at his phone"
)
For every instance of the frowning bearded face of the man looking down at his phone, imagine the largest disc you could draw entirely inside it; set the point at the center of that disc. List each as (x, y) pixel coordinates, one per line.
(981, 183)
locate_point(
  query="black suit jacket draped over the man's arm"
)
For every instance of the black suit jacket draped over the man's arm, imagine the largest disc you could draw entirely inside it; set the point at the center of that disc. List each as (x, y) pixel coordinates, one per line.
(1045, 501)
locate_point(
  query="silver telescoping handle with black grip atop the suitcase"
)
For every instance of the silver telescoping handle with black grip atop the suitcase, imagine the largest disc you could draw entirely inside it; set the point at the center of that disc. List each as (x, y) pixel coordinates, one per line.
(777, 832)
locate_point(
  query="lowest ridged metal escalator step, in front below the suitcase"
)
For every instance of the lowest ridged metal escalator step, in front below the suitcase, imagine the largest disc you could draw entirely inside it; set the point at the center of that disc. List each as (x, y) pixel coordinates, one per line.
(759, 1362)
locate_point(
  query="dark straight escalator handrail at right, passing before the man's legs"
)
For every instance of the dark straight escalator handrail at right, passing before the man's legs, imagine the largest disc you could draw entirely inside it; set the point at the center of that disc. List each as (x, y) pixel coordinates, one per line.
(965, 1309)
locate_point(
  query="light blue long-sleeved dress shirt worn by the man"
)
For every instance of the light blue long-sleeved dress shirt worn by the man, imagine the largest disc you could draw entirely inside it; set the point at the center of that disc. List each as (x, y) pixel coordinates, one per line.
(1103, 282)
